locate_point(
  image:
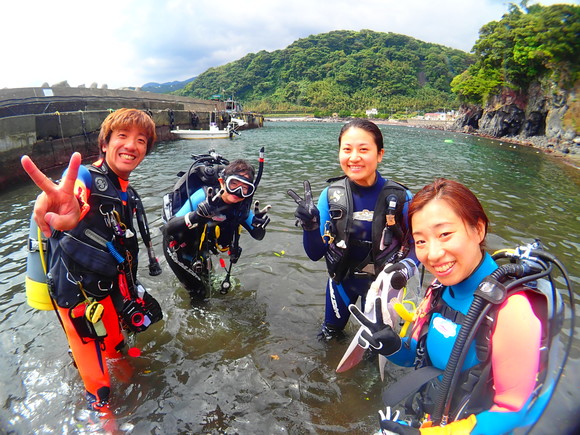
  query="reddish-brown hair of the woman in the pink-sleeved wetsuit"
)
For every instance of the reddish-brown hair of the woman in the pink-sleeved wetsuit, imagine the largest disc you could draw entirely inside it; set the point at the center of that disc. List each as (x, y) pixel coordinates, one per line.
(462, 200)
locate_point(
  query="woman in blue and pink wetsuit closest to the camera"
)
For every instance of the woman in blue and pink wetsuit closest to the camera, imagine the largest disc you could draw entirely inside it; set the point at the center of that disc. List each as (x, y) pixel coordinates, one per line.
(493, 391)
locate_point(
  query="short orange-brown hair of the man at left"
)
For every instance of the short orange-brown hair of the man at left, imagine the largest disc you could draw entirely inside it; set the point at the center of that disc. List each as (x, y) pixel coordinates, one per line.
(125, 118)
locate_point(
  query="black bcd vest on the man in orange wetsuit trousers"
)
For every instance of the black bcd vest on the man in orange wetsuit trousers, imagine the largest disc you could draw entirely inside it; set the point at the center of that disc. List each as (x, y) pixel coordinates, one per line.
(80, 260)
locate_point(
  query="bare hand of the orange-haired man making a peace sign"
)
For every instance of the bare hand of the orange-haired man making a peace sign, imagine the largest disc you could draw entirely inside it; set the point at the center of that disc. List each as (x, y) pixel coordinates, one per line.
(57, 205)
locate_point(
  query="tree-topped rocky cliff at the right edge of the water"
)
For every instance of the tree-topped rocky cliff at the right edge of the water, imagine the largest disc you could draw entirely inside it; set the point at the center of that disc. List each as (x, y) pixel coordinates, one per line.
(526, 77)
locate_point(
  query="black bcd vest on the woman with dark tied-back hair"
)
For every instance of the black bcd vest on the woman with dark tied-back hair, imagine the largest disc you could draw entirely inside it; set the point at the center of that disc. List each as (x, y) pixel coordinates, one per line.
(387, 223)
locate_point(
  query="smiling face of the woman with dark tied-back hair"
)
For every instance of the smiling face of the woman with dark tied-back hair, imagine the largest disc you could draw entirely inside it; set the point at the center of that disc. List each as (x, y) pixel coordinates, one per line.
(359, 156)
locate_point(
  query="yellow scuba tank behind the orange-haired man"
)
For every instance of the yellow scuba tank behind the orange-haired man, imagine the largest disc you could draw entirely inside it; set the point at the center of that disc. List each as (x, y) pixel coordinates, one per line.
(37, 294)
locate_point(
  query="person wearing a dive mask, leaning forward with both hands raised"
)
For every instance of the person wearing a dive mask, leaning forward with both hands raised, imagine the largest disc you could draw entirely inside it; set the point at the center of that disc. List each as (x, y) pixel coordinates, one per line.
(216, 216)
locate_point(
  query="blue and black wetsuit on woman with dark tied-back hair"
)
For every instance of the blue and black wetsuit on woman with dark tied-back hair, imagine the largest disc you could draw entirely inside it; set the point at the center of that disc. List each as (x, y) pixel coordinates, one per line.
(355, 258)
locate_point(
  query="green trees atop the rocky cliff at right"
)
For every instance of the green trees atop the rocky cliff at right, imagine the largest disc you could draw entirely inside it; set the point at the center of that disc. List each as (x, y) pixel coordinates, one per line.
(526, 45)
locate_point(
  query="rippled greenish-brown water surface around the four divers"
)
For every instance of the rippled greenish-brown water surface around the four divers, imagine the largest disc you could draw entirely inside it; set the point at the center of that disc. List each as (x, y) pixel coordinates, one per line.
(249, 362)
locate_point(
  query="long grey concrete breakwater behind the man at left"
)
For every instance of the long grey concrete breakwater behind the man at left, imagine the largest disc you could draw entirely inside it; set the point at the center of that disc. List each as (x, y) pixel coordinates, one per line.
(49, 124)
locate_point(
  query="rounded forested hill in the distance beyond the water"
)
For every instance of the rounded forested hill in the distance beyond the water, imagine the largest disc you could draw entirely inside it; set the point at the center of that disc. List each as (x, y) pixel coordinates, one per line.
(338, 71)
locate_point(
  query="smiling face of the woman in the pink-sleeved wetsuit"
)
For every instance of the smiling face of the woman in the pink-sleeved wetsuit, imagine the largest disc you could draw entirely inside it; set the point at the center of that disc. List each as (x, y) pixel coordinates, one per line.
(448, 247)
